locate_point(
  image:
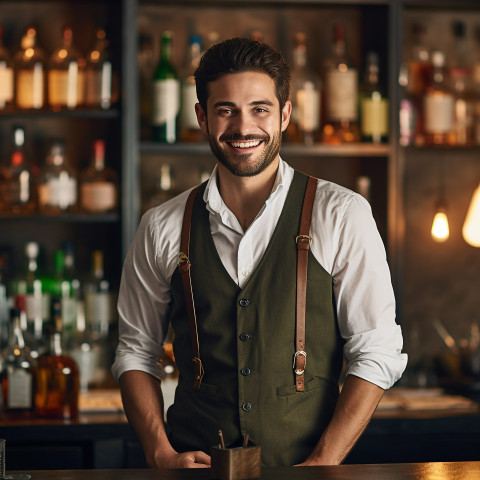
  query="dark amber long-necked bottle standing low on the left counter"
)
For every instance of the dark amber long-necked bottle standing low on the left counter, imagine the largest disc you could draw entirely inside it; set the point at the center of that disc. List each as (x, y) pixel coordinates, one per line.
(57, 379)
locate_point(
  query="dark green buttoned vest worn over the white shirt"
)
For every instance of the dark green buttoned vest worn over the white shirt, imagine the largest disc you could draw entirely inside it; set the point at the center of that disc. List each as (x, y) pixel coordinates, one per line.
(247, 343)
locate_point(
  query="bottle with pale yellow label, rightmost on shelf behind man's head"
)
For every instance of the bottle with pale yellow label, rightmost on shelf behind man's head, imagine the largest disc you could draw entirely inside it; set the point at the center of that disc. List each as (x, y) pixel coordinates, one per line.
(373, 104)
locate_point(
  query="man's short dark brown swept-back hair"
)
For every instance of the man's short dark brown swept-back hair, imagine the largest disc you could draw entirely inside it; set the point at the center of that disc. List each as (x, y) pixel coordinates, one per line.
(238, 55)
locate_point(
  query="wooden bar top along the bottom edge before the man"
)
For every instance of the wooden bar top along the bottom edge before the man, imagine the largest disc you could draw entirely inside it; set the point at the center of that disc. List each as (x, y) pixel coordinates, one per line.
(407, 471)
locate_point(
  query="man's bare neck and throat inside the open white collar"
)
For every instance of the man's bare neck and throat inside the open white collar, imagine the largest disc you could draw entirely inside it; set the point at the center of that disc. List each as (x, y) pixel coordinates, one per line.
(245, 196)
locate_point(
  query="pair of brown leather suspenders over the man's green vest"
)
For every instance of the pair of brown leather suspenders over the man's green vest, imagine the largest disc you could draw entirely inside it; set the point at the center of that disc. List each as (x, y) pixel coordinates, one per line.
(303, 241)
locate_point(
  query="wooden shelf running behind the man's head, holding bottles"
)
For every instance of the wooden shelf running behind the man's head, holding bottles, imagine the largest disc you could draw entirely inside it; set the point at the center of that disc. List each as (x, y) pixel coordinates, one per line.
(317, 150)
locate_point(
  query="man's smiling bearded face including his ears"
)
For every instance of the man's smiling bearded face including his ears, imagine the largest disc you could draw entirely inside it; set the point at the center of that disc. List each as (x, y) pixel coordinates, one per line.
(244, 122)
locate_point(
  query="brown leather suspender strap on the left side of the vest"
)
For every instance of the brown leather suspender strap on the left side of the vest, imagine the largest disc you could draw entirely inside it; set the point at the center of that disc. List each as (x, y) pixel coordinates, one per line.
(184, 267)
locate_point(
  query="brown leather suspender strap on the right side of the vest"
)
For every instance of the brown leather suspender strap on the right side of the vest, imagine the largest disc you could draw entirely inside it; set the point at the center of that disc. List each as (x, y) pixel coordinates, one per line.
(303, 245)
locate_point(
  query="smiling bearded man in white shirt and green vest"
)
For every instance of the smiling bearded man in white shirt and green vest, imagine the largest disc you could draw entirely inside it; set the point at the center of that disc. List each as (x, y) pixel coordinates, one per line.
(243, 256)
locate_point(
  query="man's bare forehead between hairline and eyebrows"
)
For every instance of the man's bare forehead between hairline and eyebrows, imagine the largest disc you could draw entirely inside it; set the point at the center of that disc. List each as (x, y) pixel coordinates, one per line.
(243, 87)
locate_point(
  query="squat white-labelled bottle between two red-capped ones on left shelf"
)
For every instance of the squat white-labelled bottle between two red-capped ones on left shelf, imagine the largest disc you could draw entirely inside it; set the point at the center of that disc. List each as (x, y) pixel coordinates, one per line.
(57, 189)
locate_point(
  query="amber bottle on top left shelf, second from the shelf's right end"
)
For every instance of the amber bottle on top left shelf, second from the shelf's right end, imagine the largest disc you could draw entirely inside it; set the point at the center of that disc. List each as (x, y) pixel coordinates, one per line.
(66, 76)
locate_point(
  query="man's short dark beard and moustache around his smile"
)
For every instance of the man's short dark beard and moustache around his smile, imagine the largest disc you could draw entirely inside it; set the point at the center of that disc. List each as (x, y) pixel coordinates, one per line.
(239, 164)
